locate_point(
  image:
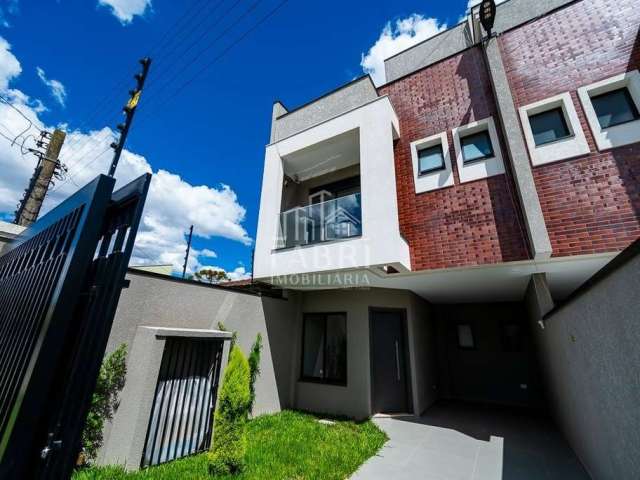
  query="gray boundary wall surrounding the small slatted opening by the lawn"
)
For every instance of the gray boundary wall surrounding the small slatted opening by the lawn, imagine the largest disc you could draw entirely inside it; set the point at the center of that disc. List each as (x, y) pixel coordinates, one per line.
(153, 301)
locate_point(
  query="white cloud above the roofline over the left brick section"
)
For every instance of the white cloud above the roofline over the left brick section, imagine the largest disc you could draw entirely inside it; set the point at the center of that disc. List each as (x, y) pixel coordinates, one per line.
(396, 37)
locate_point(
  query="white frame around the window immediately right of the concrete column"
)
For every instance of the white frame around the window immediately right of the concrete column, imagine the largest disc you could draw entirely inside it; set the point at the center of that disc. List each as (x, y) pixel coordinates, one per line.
(562, 149)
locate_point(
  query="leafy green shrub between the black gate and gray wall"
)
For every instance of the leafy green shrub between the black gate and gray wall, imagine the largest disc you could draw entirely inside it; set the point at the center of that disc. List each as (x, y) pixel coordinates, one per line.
(104, 402)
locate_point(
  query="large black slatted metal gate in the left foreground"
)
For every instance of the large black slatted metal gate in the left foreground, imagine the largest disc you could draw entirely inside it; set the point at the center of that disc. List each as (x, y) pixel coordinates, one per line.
(60, 283)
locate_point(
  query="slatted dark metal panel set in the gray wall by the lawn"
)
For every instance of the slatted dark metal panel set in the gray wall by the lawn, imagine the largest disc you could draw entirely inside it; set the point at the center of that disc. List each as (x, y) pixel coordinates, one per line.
(182, 412)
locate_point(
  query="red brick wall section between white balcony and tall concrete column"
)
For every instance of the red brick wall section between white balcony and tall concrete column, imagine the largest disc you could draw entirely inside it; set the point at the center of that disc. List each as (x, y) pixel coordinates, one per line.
(472, 223)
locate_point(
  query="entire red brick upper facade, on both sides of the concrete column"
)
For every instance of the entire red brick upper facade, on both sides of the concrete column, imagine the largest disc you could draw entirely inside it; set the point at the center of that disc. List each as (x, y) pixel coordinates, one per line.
(591, 204)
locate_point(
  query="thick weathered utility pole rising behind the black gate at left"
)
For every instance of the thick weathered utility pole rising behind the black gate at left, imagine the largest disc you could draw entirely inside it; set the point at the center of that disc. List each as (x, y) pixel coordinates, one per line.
(47, 167)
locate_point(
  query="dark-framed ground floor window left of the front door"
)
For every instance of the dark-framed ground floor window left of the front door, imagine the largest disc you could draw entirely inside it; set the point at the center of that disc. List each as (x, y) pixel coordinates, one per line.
(324, 348)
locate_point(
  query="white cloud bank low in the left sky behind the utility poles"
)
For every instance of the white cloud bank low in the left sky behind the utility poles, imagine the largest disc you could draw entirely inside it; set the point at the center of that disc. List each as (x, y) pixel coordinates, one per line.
(173, 204)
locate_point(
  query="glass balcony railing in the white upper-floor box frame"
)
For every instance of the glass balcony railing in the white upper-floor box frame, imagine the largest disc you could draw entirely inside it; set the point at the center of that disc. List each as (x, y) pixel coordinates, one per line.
(334, 219)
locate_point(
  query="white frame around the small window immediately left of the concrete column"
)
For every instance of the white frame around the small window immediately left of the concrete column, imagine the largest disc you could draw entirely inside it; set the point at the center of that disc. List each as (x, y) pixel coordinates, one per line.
(483, 168)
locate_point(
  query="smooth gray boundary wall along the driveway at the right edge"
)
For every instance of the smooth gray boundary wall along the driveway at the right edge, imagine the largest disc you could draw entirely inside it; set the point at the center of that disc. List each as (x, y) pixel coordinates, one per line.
(590, 352)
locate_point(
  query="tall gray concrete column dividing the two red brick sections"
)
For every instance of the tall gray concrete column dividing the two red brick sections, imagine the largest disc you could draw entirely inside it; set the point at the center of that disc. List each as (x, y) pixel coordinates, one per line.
(521, 167)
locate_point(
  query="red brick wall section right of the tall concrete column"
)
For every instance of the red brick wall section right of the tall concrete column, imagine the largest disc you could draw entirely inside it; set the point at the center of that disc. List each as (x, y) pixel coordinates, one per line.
(591, 204)
